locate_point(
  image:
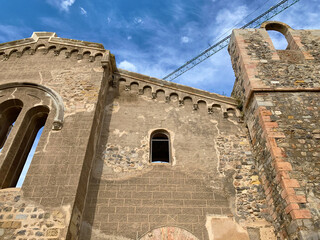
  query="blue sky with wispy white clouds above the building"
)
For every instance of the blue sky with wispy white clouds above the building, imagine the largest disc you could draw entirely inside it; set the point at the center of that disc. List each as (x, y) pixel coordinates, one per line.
(152, 37)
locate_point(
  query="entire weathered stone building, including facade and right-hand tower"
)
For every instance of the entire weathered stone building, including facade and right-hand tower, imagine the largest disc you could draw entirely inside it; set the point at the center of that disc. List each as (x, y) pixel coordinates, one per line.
(241, 167)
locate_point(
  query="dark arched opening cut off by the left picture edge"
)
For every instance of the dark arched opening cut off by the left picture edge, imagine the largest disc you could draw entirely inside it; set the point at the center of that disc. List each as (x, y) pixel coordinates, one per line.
(9, 112)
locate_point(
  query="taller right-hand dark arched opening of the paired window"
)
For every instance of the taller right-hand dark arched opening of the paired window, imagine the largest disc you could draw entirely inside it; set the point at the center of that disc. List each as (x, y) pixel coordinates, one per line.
(33, 121)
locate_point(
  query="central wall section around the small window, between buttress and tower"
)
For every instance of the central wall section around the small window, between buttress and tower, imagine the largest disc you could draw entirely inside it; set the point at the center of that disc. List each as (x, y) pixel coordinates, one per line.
(211, 175)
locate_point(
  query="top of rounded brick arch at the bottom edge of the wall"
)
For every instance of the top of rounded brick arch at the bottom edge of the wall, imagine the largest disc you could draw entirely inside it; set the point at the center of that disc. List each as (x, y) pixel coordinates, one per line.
(168, 233)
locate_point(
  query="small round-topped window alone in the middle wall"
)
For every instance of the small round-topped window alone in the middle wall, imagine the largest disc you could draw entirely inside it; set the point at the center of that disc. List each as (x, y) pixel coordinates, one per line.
(160, 147)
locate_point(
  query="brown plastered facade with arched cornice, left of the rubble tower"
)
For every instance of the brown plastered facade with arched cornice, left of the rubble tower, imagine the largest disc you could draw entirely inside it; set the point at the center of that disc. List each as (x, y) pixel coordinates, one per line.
(92, 164)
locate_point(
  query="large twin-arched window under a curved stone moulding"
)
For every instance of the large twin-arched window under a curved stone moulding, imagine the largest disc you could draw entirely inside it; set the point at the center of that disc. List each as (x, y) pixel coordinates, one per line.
(24, 118)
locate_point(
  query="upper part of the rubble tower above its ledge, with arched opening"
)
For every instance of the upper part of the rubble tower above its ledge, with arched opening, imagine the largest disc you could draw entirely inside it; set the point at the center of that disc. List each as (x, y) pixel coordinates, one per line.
(259, 66)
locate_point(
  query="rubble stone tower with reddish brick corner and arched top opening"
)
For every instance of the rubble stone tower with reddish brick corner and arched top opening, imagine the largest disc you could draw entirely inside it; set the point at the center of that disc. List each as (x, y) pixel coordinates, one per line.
(279, 93)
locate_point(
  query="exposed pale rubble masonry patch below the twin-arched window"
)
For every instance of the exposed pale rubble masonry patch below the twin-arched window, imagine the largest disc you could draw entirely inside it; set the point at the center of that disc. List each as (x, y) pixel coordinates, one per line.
(23, 219)
